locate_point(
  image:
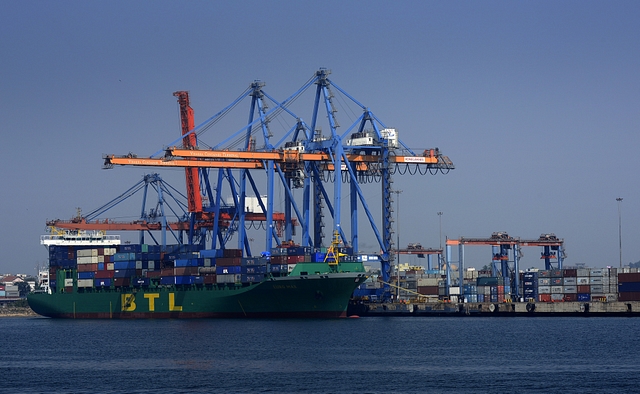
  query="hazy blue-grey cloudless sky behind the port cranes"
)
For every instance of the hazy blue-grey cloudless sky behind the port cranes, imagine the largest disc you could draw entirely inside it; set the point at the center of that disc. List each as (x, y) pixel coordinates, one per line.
(537, 103)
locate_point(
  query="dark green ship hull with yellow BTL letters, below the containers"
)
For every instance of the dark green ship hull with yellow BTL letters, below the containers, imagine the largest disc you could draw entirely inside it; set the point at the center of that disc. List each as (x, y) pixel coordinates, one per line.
(299, 295)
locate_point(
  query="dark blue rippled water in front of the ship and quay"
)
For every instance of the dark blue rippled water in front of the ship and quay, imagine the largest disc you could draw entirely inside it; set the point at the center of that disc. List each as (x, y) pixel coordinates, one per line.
(366, 355)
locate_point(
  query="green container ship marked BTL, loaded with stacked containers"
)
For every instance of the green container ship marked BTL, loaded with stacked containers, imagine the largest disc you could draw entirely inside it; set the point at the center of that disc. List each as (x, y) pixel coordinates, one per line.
(95, 276)
